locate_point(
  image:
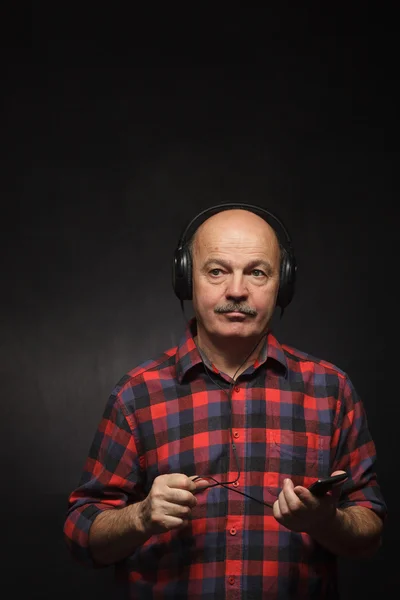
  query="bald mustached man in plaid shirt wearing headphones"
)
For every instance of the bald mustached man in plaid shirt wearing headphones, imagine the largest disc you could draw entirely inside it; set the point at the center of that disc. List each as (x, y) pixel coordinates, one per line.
(196, 485)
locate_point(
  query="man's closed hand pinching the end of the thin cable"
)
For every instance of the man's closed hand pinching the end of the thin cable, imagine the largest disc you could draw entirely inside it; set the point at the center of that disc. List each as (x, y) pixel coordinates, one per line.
(169, 503)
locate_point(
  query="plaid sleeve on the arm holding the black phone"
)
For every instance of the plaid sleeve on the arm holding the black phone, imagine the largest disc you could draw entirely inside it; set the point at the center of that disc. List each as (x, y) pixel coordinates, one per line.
(354, 451)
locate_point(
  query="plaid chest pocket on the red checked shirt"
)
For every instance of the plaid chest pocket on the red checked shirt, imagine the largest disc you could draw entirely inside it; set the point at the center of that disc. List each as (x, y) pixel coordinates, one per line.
(291, 454)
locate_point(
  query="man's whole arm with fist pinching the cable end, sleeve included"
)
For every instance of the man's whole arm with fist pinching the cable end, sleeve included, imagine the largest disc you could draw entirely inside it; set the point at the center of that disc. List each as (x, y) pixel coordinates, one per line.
(110, 515)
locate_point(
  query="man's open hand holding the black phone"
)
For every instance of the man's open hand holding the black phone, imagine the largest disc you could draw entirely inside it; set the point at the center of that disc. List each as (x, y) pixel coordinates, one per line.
(298, 510)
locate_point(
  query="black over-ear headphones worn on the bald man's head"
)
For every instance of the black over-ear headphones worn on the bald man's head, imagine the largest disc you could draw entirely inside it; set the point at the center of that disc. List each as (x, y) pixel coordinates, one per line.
(182, 263)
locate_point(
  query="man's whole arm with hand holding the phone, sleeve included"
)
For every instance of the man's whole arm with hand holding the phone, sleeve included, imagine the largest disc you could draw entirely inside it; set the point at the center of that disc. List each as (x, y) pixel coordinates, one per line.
(347, 521)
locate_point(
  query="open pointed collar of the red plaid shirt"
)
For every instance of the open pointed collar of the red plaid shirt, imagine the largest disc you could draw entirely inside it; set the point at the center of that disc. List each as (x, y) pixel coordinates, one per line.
(188, 355)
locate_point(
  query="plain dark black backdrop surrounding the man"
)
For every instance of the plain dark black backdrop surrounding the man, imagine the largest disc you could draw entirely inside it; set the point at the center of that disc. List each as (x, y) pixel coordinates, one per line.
(118, 126)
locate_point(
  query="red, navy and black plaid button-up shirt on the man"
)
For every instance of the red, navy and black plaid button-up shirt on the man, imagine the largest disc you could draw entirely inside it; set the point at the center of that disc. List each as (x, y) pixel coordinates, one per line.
(293, 416)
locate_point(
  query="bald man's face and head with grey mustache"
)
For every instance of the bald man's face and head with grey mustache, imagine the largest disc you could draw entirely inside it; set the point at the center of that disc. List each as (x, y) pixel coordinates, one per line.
(236, 259)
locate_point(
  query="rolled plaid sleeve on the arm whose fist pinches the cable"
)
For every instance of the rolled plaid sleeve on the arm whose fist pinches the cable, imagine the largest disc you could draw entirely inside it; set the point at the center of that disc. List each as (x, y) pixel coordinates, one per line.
(111, 479)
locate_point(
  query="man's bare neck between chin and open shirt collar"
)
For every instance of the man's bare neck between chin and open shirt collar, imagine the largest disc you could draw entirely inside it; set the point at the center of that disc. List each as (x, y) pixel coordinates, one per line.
(231, 357)
